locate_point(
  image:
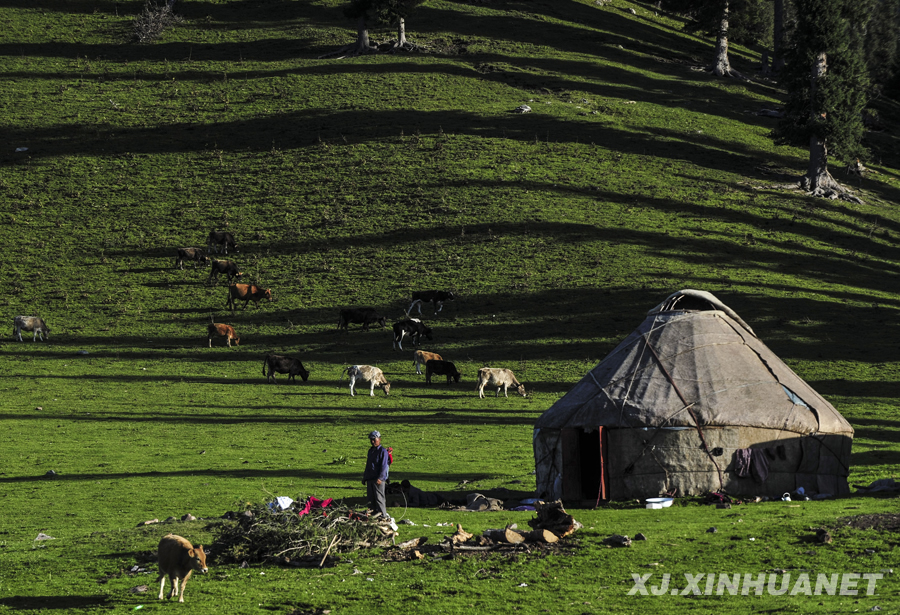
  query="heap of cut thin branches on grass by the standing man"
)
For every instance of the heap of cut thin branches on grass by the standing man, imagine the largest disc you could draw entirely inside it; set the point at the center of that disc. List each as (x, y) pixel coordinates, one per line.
(266, 534)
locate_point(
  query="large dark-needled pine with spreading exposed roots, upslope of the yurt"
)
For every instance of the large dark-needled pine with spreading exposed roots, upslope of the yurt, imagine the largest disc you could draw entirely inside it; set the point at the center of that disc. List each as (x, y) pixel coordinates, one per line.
(826, 84)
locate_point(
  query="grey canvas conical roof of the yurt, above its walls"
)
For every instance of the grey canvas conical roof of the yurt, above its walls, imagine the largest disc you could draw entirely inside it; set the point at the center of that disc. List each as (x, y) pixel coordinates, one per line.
(694, 359)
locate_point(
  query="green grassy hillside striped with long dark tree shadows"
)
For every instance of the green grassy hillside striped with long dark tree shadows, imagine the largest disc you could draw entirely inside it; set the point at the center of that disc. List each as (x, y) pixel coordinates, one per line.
(352, 182)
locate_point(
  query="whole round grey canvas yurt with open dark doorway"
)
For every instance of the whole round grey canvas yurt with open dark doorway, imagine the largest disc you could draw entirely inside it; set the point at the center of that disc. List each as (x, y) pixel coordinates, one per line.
(691, 402)
